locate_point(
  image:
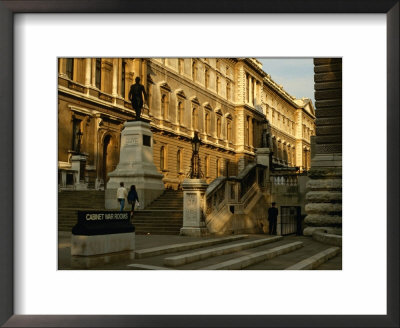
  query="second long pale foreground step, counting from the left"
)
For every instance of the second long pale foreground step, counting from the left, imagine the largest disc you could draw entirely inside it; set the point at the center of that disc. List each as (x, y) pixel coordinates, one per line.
(217, 251)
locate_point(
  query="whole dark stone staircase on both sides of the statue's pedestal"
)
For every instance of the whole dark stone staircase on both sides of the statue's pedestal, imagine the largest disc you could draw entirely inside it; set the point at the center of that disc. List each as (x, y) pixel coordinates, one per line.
(164, 216)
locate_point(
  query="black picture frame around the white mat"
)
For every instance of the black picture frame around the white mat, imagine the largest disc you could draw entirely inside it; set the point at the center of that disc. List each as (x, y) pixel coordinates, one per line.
(7, 11)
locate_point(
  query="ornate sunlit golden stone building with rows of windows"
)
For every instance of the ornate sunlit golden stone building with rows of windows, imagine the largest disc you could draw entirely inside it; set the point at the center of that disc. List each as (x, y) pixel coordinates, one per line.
(225, 99)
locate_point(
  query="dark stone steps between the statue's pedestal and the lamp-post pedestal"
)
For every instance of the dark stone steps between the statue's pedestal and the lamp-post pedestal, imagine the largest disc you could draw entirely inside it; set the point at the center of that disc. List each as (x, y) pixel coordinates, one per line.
(164, 216)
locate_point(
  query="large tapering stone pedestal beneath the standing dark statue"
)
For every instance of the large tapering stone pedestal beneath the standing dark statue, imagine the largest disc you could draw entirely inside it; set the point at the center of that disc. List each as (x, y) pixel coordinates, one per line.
(136, 166)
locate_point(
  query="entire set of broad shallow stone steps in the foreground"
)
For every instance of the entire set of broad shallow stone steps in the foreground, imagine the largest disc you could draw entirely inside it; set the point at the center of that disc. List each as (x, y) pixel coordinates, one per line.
(240, 252)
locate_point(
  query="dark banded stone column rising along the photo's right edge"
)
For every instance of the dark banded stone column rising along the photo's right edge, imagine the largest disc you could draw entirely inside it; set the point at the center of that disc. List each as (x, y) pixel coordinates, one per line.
(324, 208)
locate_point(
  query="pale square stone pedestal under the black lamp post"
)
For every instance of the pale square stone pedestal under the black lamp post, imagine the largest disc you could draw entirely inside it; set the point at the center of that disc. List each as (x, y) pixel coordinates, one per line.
(193, 208)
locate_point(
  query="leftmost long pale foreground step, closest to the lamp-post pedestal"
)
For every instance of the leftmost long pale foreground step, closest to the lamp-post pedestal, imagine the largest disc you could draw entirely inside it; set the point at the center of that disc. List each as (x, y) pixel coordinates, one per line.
(155, 251)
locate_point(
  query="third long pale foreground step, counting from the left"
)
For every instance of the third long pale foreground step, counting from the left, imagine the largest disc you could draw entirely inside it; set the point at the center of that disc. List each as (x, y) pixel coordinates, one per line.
(245, 261)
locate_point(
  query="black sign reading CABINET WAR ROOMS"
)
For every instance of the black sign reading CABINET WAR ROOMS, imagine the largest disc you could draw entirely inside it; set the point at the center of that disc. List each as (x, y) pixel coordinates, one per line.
(102, 223)
